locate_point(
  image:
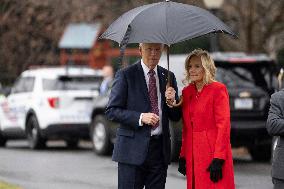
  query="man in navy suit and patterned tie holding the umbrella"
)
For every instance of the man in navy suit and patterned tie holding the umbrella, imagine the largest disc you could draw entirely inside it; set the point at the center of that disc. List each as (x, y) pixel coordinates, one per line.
(138, 102)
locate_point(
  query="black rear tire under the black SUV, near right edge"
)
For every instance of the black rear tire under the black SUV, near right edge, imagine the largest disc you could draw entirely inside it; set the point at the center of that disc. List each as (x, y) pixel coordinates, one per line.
(260, 152)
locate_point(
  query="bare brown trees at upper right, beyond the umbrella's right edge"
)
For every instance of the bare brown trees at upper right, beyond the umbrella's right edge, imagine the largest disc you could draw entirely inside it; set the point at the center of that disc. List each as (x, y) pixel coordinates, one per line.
(259, 24)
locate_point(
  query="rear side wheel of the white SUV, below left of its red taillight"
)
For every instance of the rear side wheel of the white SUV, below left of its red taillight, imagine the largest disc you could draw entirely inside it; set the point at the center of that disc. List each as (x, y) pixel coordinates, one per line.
(33, 134)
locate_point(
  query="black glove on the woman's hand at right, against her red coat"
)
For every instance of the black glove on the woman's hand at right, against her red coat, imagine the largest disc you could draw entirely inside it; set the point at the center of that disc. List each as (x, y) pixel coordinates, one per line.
(215, 169)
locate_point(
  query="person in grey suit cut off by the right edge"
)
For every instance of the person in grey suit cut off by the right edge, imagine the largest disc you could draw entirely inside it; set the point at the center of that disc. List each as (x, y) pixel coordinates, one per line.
(275, 127)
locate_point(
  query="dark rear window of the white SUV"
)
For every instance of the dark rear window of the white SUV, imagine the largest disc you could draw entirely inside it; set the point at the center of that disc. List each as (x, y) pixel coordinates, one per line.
(72, 83)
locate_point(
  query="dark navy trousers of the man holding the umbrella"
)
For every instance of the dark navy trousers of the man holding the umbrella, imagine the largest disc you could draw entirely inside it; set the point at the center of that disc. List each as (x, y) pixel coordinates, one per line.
(152, 173)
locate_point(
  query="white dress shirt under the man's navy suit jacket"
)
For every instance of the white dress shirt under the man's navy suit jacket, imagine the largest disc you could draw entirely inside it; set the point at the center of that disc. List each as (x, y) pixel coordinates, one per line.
(157, 130)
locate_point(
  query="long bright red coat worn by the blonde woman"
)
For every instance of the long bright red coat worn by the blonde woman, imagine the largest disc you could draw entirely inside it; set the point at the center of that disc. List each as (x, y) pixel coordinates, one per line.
(206, 135)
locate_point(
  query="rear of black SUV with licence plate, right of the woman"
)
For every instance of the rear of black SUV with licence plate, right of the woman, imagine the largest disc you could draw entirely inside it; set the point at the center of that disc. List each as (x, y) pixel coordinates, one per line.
(250, 80)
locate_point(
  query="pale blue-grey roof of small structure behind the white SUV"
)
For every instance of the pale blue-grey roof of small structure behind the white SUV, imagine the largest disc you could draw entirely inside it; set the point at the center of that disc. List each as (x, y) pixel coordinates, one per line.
(80, 36)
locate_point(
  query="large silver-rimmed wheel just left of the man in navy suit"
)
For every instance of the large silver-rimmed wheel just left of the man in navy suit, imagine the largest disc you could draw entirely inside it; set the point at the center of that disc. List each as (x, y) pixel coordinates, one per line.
(100, 135)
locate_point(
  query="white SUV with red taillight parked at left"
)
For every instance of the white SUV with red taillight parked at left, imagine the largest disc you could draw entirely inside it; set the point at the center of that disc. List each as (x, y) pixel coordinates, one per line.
(50, 103)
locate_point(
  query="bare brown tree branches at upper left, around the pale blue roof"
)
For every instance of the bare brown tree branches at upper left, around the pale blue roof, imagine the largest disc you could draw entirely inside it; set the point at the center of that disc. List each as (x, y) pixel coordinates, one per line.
(30, 31)
